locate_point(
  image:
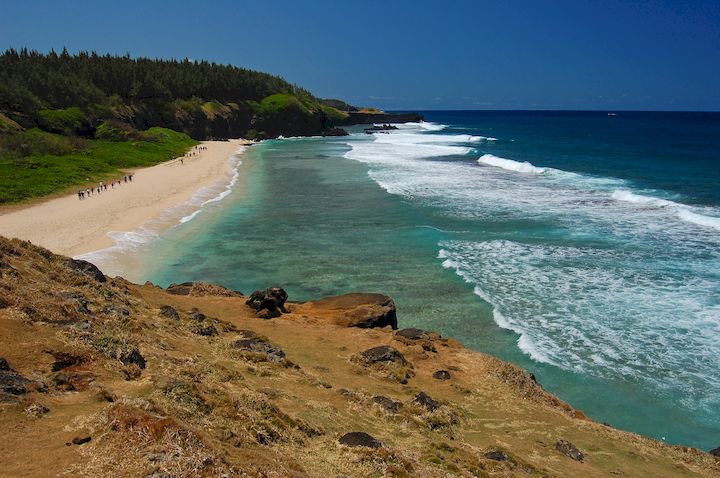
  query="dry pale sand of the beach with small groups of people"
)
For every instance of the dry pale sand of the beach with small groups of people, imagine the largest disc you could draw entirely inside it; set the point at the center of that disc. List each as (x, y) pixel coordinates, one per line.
(70, 226)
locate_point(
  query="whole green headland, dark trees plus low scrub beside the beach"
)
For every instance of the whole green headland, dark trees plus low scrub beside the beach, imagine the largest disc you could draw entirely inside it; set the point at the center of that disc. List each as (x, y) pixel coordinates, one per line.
(65, 119)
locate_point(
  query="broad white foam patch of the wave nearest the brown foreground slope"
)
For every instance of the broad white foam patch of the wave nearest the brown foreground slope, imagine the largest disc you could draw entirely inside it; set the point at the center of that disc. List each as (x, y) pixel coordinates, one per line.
(624, 320)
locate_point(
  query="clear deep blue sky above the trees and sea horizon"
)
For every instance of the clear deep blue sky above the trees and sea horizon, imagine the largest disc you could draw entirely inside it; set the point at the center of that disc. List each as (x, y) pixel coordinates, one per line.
(576, 54)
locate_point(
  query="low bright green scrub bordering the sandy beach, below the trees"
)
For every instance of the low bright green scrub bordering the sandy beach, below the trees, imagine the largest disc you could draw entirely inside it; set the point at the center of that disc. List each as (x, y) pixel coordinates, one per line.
(83, 164)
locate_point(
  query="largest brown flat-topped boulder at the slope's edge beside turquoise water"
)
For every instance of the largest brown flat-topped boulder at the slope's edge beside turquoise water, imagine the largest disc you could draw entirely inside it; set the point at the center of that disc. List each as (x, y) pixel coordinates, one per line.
(359, 310)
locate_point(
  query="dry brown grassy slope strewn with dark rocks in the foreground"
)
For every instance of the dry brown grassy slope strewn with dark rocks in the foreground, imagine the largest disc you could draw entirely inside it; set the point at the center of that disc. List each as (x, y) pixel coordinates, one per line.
(102, 380)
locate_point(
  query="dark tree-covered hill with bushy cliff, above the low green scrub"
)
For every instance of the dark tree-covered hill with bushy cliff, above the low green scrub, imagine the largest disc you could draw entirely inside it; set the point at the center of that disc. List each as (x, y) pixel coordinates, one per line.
(81, 94)
